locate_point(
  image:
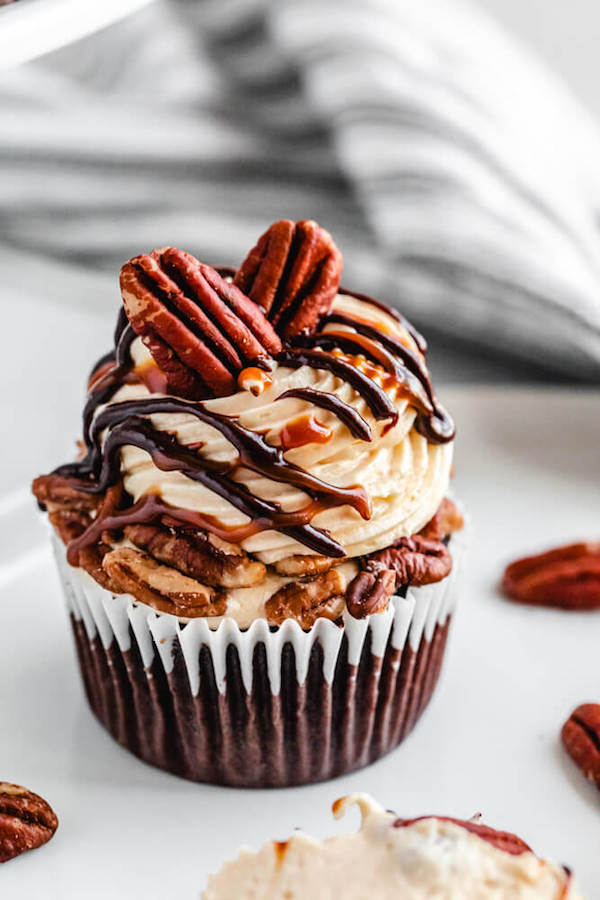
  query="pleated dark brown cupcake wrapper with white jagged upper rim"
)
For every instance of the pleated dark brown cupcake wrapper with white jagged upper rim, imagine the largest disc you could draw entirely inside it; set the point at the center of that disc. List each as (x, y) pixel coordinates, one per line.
(262, 706)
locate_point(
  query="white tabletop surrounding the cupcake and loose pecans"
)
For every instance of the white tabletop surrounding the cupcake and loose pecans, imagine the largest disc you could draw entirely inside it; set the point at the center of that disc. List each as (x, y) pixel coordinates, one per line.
(528, 469)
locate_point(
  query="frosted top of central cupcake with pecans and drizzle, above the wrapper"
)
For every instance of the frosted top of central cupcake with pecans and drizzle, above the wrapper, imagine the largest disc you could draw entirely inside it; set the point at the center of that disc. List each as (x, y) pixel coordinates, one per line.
(260, 443)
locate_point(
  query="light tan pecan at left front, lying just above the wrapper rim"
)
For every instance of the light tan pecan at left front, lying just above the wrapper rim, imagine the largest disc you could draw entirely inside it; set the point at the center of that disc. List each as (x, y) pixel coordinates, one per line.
(160, 587)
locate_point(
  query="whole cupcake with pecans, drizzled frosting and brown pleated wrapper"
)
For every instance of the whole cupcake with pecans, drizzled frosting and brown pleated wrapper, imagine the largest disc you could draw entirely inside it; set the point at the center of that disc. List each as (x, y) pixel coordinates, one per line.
(256, 545)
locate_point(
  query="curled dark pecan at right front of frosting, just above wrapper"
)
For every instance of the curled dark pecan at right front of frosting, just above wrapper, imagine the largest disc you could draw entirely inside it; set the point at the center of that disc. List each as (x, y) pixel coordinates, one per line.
(412, 561)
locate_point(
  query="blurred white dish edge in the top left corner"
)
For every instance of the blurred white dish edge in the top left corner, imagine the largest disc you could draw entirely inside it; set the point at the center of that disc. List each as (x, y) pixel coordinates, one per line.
(30, 28)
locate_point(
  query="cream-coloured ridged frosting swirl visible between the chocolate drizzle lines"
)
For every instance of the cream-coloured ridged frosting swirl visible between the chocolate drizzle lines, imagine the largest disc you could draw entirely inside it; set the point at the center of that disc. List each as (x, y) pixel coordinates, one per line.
(404, 475)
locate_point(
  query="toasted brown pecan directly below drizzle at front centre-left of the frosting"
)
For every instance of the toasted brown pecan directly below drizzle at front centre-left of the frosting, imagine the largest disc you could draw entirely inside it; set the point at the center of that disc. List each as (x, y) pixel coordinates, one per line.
(196, 555)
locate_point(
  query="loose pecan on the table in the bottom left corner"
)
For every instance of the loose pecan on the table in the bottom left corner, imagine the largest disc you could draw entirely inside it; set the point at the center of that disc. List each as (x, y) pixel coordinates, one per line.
(26, 821)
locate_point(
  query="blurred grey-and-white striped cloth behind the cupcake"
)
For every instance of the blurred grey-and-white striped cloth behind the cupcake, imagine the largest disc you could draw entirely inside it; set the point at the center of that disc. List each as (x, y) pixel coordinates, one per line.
(459, 178)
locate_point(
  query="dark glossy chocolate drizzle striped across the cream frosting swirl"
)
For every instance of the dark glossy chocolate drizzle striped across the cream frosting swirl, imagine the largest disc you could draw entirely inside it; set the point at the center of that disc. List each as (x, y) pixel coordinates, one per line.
(128, 425)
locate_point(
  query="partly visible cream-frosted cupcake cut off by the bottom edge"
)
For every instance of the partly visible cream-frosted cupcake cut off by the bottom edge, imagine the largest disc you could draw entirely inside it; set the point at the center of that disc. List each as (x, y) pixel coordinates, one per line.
(433, 856)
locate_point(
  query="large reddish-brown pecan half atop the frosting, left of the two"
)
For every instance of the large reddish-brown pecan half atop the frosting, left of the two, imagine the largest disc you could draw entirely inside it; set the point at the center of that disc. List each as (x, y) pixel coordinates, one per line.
(200, 329)
